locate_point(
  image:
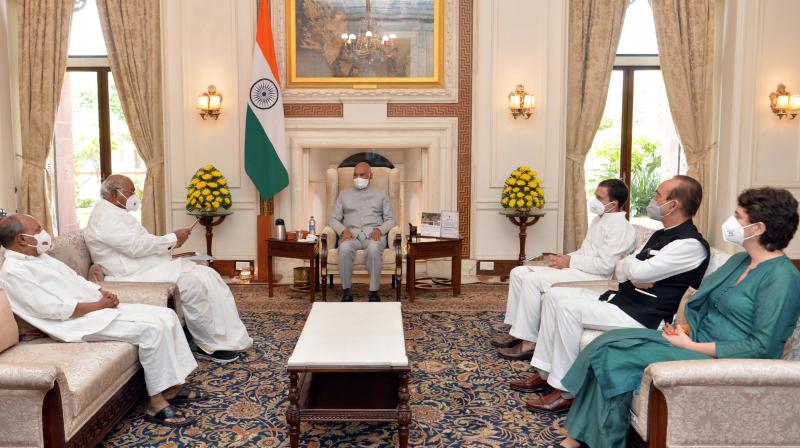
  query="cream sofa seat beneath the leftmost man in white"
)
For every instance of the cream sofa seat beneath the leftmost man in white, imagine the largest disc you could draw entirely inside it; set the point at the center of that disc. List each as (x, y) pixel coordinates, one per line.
(92, 371)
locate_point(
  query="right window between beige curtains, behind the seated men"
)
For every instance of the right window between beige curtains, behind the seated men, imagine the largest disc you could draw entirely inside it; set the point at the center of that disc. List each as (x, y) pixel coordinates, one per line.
(636, 140)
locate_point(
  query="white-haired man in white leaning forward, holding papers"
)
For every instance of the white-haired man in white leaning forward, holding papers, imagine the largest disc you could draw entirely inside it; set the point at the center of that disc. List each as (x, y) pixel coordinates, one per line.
(128, 252)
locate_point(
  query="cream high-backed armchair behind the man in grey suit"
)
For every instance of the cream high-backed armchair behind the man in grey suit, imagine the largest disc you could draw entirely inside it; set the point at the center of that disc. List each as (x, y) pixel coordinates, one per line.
(386, 176)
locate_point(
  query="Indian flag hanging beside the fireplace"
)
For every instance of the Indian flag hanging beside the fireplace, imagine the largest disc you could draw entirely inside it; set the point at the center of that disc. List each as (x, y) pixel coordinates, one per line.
(265, 157)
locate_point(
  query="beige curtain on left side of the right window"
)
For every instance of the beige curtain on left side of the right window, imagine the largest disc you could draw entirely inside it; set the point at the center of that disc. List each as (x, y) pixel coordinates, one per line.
(594, 30)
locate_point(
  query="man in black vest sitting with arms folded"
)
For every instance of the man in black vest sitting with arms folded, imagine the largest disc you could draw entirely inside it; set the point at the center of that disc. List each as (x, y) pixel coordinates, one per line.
(652, 282)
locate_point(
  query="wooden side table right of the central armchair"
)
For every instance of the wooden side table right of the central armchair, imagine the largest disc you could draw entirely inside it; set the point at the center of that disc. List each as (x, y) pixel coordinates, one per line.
(423, 248)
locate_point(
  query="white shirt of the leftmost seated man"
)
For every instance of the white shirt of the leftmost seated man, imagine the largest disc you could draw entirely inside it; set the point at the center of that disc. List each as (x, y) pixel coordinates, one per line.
(44, 292)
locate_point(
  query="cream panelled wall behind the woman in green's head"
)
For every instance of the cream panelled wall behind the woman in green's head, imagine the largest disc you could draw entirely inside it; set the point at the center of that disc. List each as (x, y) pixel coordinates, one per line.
(755, 148)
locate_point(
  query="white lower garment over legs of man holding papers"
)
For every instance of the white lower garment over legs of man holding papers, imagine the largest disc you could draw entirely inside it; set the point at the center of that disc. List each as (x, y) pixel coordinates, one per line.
(210, 311)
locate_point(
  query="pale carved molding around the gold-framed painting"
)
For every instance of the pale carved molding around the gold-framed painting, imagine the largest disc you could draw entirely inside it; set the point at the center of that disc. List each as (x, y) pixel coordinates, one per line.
(448, 93)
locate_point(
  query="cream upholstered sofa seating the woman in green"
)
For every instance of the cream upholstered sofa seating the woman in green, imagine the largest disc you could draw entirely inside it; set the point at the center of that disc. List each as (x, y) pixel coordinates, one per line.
(718, 402)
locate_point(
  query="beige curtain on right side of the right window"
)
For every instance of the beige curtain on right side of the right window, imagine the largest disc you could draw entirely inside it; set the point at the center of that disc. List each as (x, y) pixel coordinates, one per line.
(685, 32)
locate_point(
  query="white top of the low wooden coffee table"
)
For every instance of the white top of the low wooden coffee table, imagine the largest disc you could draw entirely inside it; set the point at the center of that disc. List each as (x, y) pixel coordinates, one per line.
(356, 334)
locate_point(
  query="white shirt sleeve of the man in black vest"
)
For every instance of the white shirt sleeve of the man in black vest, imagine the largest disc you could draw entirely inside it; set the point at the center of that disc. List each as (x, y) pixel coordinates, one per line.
(676, 257)
